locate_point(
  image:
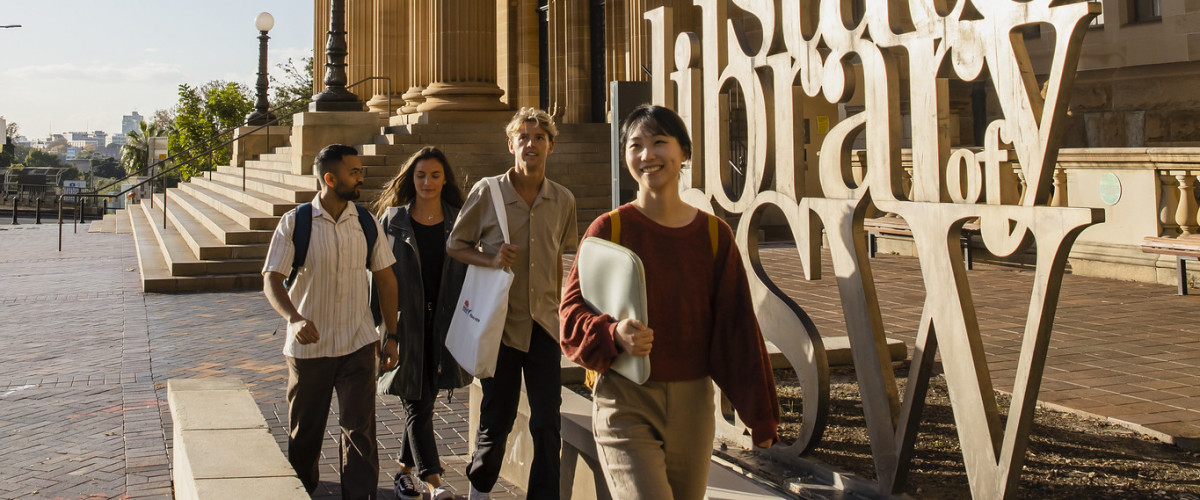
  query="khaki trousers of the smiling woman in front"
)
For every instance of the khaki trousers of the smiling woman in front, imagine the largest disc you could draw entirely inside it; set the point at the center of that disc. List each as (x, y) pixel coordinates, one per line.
(655, 441)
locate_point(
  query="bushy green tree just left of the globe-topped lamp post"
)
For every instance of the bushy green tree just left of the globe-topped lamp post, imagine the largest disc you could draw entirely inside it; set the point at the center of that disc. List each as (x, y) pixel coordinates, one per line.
(205, 118)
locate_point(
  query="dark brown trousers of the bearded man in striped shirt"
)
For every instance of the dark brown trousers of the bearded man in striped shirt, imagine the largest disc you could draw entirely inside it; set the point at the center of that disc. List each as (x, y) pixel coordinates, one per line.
(311, 384)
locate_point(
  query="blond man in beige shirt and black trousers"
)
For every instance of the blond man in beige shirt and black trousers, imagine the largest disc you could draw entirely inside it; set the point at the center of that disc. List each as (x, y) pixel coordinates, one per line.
(542, 227)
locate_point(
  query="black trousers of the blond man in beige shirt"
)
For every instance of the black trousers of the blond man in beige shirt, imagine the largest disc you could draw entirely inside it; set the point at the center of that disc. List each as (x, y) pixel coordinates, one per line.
(499, 409)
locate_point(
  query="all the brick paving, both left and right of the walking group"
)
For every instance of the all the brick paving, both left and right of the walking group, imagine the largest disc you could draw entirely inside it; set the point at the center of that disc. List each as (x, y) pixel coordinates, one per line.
(87, 357)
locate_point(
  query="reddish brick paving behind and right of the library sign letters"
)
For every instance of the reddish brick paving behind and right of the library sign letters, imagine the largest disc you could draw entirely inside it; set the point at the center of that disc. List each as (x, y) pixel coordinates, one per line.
(1123, 351)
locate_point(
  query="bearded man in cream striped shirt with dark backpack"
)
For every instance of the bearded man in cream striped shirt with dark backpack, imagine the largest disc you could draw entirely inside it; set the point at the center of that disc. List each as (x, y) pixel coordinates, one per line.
(332, 342)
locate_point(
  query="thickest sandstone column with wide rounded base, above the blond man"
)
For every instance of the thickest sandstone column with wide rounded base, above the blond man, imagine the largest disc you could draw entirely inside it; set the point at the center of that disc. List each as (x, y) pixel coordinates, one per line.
(464, 58)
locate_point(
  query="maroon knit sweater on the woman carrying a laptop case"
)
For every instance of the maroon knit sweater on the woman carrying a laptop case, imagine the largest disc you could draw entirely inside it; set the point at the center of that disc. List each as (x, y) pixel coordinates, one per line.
(699, 308)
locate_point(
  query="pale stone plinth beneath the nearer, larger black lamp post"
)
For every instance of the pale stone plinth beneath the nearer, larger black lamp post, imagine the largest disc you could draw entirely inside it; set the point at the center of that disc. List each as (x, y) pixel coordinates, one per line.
(317, 130)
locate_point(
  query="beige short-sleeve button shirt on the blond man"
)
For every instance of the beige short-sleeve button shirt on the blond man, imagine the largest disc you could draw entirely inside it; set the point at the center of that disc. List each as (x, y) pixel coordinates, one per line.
(542, 233)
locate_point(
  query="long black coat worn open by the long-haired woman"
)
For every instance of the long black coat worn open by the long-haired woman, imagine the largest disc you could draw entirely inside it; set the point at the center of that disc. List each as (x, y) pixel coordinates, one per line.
(410, 379)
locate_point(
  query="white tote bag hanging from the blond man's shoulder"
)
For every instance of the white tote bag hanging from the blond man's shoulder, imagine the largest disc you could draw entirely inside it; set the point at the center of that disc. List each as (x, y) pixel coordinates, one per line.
(478, 322)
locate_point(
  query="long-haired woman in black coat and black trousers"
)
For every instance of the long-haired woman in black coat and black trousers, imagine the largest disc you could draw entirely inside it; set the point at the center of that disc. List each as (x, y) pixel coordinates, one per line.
(418, 209)
